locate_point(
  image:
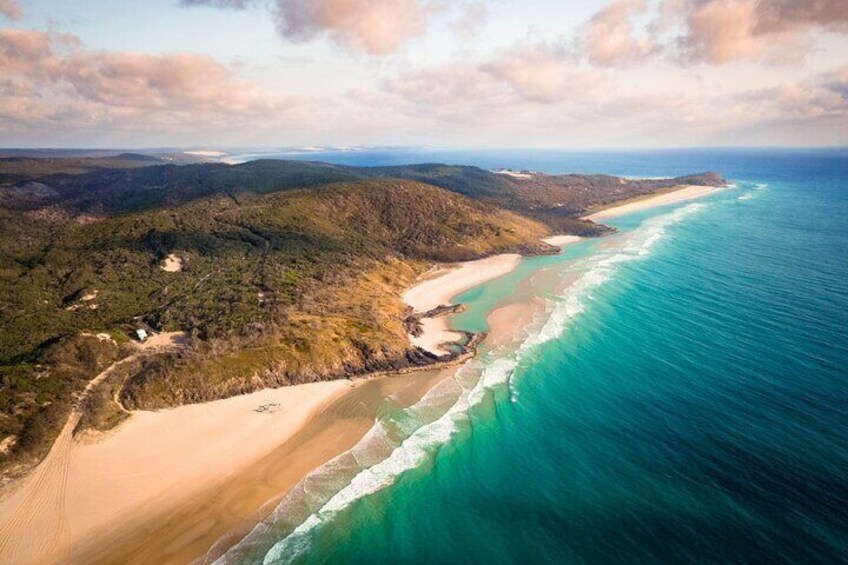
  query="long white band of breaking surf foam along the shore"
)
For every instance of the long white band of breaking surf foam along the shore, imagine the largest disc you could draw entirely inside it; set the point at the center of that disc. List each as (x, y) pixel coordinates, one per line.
(379, 458)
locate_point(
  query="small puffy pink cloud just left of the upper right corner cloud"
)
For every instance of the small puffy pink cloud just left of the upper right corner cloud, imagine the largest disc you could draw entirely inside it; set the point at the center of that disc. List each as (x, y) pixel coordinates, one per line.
(609, 39)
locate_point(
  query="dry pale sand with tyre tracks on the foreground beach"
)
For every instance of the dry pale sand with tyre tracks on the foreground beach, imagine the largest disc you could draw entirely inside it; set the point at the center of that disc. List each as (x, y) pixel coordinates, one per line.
(151, 465)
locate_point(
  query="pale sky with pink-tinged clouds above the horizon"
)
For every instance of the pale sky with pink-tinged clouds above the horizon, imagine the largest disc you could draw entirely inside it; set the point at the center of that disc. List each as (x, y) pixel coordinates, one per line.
(446, 73)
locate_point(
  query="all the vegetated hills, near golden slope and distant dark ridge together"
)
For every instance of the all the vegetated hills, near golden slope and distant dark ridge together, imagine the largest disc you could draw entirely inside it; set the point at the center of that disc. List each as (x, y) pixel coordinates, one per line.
(289, 272)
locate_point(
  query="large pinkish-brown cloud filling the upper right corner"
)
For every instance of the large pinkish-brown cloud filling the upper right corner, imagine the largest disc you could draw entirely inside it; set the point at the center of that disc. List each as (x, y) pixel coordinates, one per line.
(720, 31)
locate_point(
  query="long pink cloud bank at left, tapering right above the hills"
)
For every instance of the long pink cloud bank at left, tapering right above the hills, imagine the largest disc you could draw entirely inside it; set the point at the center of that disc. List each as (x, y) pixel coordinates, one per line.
(51, 80)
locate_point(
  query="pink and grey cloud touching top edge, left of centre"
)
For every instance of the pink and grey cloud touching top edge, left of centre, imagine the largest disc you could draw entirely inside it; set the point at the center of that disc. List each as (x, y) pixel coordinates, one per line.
(377, 27)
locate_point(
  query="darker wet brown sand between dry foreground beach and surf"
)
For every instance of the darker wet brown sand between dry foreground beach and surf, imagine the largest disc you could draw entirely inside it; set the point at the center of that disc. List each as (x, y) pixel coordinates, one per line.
(206, 524)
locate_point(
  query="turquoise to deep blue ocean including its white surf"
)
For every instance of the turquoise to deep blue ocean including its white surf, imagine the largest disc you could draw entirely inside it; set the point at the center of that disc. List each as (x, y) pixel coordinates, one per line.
(680, 396)
